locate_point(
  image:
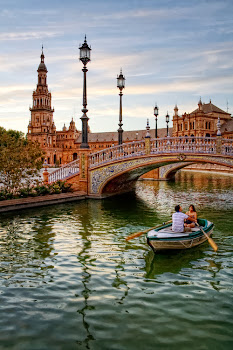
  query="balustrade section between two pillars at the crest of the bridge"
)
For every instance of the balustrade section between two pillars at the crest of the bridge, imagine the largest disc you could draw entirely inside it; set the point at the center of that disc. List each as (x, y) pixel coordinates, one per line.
(184, 144)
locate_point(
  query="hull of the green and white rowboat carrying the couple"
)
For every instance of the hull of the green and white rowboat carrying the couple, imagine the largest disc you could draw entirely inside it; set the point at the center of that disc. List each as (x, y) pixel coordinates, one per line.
(179, 241)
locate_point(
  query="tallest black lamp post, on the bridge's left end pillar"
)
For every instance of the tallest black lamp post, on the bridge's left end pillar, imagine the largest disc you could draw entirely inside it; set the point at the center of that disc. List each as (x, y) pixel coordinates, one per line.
(85, 53)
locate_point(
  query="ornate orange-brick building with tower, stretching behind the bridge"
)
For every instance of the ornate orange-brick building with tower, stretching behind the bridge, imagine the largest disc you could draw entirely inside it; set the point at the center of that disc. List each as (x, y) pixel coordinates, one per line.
(63, 146)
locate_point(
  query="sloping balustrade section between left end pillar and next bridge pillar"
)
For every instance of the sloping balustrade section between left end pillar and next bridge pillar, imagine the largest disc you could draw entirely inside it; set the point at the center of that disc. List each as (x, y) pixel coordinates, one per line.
(126, 150)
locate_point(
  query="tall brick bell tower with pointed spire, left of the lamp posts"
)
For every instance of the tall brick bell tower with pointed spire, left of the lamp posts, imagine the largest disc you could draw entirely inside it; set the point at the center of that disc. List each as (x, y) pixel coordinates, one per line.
(41, 126)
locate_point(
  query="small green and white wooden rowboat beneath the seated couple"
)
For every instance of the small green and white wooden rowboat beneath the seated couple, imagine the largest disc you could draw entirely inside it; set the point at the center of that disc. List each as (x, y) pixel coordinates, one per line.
(163, 238)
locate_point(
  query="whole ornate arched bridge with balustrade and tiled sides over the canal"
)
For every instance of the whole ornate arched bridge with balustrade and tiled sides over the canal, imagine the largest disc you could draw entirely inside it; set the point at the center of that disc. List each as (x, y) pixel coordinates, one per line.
(116, 169)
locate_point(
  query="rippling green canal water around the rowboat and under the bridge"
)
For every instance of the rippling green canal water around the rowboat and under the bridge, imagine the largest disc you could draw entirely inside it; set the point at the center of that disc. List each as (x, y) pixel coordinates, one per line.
(69, 280)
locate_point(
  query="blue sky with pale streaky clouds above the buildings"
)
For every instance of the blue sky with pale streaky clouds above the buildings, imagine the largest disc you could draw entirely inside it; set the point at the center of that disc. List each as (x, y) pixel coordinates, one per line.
(170, 52)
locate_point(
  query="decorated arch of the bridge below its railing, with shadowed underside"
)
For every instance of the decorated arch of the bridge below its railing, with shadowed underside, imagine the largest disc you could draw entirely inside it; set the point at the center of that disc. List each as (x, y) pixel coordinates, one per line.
(121, 176)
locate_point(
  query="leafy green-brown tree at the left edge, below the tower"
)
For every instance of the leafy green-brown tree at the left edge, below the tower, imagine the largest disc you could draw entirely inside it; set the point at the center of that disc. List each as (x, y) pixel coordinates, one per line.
(20, 159)
